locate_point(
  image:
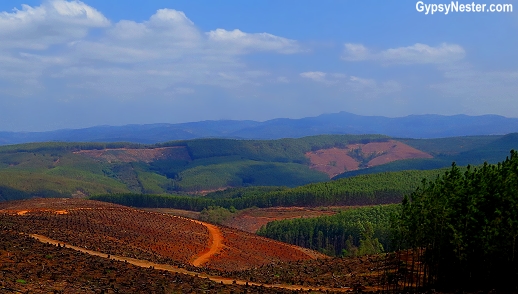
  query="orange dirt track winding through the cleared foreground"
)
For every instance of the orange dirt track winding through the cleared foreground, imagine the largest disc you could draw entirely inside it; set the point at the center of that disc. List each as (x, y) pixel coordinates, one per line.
(217, 279)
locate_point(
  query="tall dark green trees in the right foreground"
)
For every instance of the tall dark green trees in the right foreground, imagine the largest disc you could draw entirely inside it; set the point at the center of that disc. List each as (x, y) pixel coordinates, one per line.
(467, 222)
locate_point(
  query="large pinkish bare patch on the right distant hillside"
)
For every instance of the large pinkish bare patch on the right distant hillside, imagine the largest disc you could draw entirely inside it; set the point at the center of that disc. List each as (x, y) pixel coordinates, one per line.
(335, 161)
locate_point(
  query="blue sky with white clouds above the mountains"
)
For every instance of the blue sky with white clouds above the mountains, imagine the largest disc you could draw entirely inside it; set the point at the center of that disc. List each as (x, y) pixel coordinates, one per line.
(75, 64)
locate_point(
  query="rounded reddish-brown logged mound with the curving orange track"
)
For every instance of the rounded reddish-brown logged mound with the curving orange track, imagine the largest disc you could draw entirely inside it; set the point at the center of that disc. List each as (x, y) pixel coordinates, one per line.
(115, 229)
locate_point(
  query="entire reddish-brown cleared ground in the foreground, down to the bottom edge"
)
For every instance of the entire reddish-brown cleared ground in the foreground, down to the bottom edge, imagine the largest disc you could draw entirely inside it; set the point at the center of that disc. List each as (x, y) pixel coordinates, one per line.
(122, 262)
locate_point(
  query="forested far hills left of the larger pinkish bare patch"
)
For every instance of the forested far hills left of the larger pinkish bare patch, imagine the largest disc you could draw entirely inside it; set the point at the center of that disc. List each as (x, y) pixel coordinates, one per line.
(65, 169)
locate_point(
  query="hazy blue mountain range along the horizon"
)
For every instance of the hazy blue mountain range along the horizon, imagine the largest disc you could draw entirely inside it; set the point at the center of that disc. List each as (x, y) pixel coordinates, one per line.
(413, 126)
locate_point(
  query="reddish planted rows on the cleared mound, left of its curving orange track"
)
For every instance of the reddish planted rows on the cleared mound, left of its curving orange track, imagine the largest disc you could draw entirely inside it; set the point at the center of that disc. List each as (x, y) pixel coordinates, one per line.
(114, 228)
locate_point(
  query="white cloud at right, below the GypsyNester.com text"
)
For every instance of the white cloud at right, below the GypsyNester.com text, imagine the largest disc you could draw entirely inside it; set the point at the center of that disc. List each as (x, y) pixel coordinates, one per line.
(415, 54)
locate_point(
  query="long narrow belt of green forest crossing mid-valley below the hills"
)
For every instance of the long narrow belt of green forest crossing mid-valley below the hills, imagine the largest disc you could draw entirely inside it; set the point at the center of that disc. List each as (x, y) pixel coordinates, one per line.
(372, 189)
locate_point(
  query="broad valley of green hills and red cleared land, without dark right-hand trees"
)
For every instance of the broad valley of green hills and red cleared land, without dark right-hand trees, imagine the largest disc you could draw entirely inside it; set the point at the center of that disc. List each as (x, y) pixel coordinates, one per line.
(224, 215)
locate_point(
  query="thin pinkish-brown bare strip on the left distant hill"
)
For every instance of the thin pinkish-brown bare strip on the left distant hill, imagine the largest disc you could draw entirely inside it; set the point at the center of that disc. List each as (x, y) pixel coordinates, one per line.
(132, 155)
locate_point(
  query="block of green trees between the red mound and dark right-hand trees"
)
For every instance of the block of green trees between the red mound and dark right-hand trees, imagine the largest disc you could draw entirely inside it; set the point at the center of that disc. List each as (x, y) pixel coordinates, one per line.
(351, 232)
